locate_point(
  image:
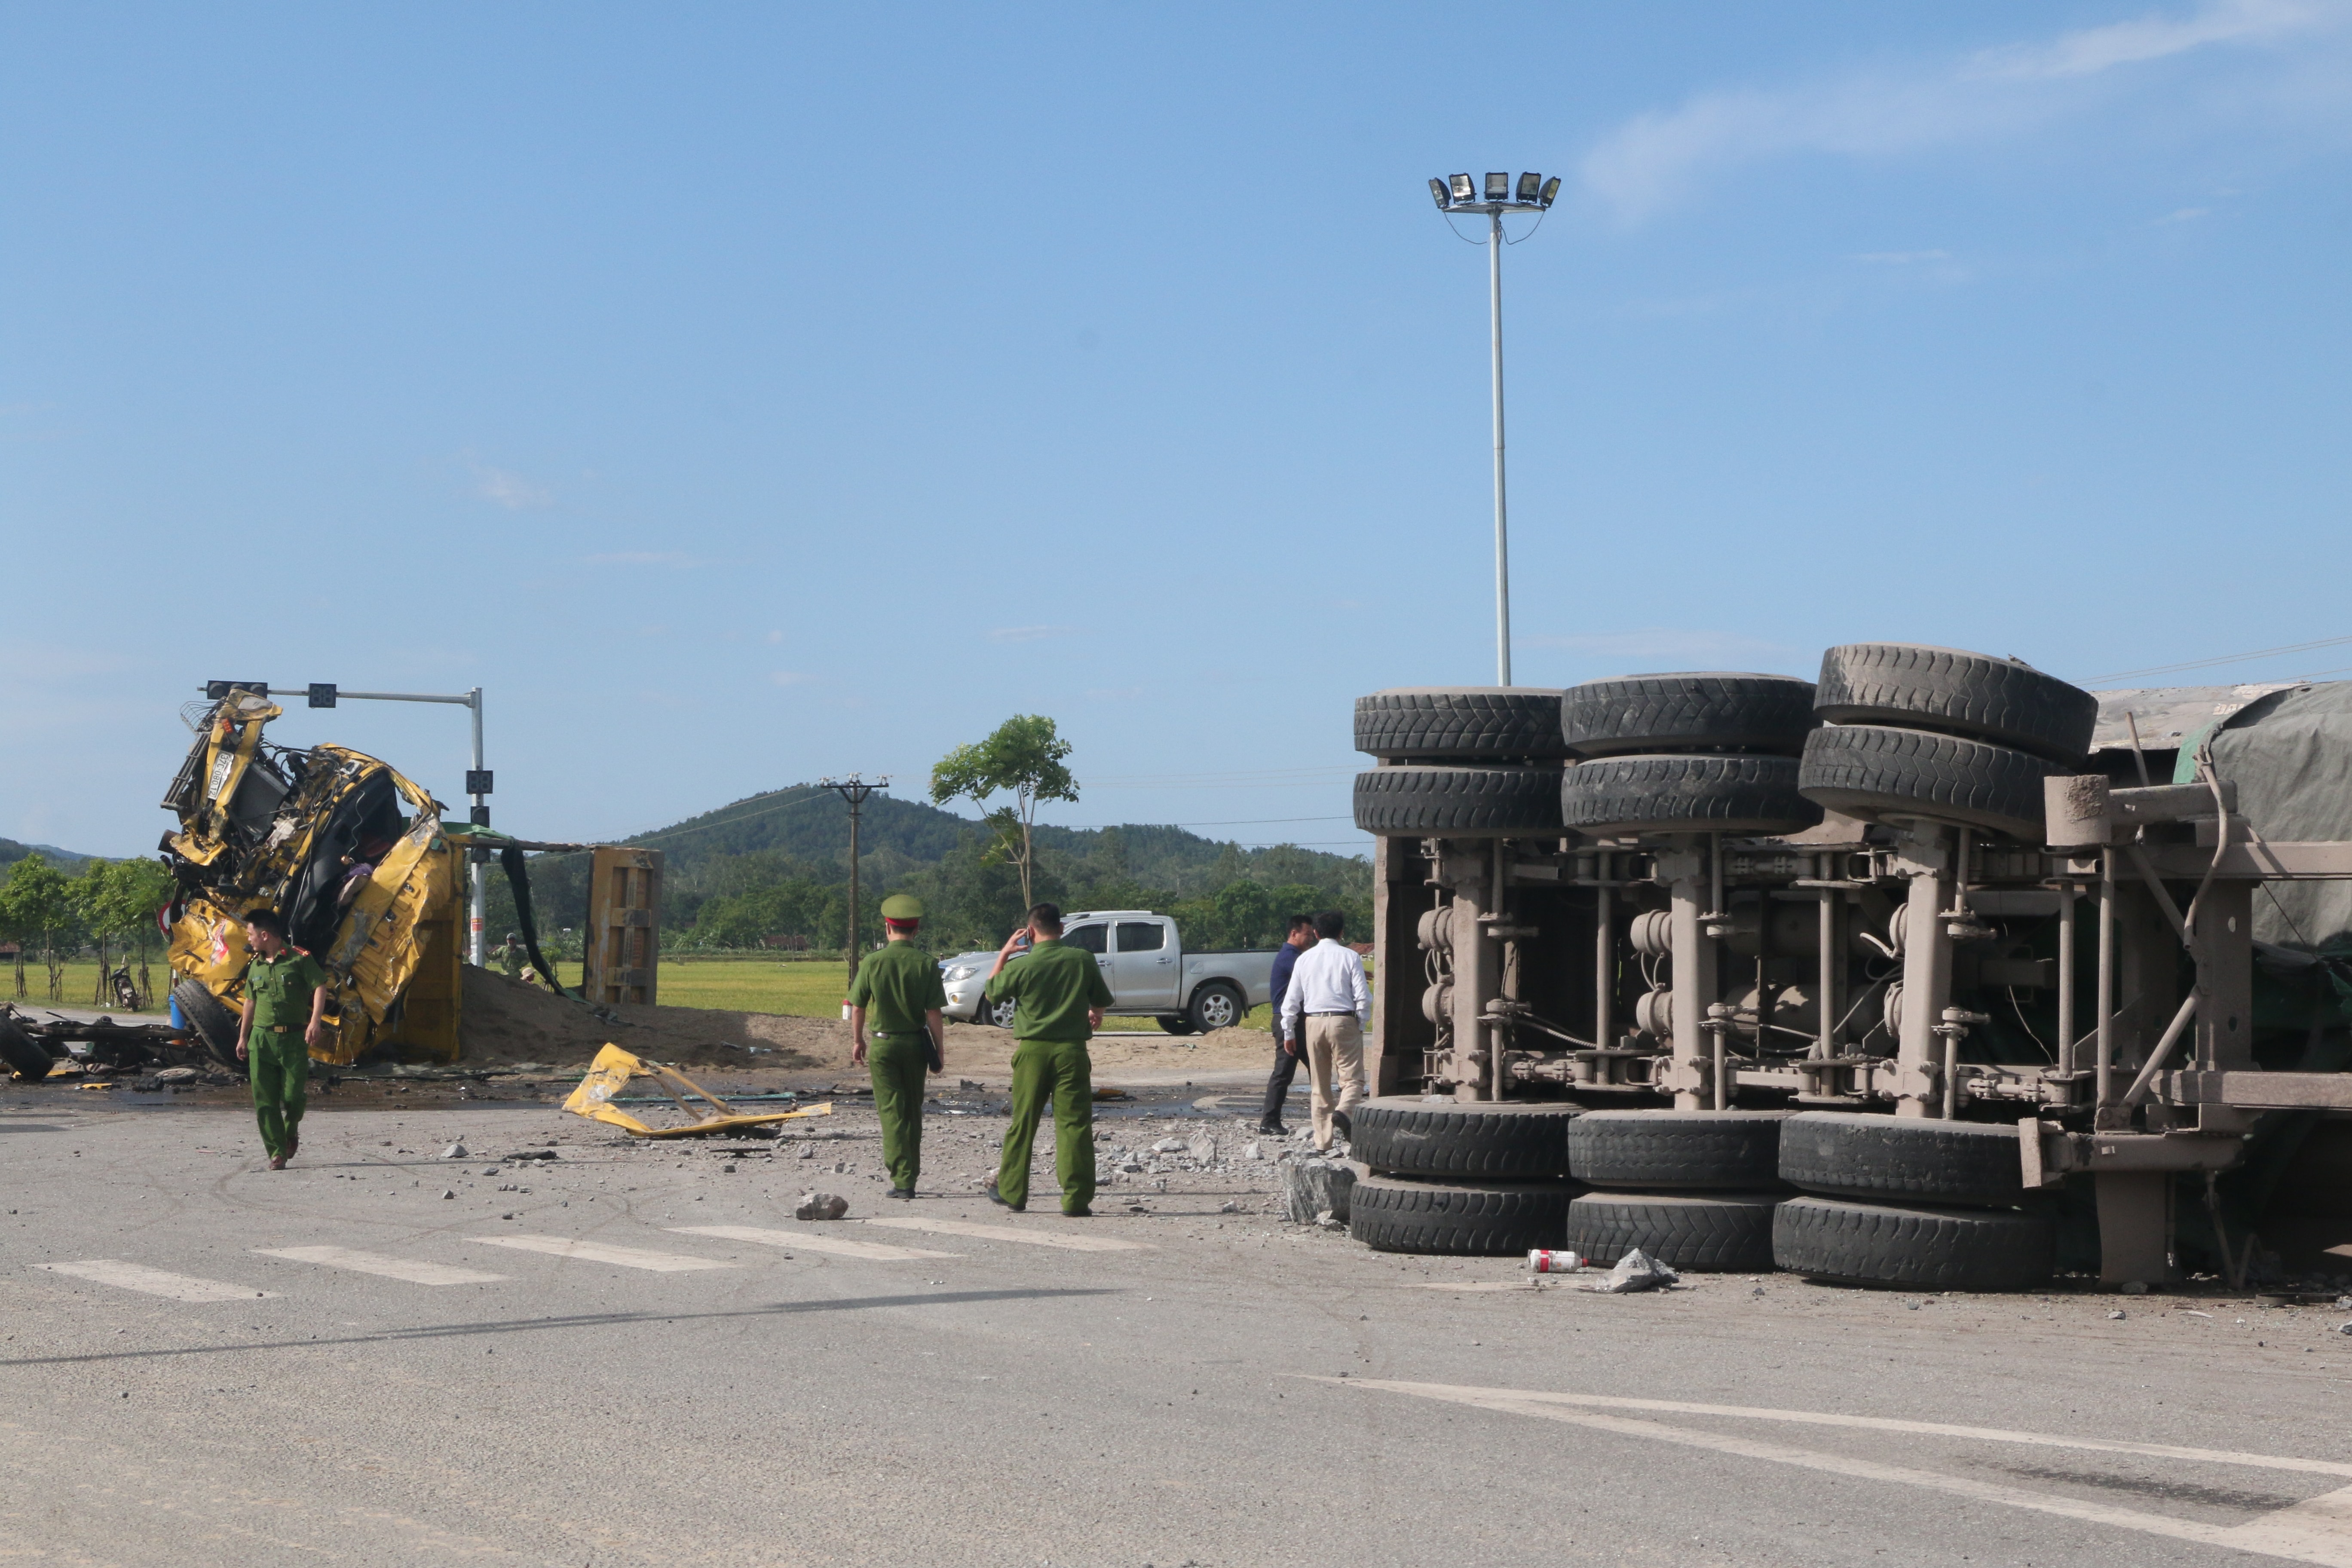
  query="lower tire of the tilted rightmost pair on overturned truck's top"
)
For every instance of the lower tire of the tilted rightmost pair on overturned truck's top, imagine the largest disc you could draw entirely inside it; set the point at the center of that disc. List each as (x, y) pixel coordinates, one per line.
(1871, 772)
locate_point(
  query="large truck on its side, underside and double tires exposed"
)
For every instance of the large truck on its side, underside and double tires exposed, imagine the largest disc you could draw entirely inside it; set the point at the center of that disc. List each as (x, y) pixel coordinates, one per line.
(1935, 972)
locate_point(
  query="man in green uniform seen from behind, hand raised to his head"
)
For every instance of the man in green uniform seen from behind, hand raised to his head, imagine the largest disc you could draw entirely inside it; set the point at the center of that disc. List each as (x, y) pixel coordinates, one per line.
(1060, 1000)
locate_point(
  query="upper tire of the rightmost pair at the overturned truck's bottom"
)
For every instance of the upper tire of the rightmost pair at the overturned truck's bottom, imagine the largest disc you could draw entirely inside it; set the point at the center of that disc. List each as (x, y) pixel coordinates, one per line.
(1904, 1160)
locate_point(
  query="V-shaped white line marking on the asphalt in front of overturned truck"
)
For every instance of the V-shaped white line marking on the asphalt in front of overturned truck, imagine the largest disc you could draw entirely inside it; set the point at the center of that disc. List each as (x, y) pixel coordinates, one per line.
(2316, 1532)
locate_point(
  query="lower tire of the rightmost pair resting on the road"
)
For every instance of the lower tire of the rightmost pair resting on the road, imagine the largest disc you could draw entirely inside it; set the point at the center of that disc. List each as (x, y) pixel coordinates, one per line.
(1937, 1249)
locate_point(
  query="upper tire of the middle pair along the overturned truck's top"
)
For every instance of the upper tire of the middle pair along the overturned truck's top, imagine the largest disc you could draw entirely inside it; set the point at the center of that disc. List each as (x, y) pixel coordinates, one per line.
(1706, 713)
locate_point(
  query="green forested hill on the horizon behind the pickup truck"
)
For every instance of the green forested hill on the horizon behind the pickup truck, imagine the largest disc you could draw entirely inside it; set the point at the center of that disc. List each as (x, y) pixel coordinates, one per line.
(777, 864)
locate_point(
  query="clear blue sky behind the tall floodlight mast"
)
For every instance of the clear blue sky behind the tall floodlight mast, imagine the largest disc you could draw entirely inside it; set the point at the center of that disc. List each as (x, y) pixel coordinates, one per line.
(749, 394)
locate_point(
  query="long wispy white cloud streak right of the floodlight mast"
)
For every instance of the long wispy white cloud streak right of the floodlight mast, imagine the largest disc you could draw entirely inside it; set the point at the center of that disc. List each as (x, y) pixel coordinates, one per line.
(1662, 156)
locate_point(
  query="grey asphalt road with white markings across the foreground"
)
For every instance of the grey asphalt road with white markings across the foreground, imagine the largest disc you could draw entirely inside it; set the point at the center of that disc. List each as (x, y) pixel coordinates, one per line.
(575, 1362)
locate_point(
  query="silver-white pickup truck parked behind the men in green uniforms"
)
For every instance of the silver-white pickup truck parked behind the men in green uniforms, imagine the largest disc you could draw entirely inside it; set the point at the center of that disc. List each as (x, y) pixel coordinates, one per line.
(1142, 958)
